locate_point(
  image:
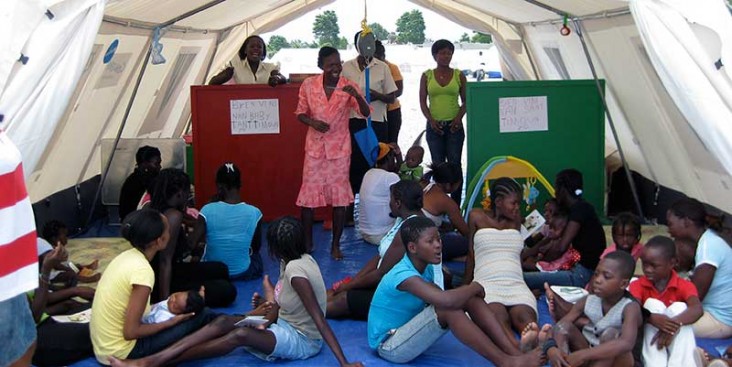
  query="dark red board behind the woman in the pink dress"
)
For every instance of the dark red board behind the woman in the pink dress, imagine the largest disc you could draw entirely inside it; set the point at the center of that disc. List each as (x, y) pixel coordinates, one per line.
(271, 164)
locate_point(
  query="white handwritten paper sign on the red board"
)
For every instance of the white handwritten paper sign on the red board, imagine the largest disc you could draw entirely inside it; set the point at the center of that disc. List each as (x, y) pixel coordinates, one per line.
(255, 116)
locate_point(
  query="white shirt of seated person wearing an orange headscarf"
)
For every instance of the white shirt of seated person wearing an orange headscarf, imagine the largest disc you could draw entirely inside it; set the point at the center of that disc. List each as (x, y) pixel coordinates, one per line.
(373, 210)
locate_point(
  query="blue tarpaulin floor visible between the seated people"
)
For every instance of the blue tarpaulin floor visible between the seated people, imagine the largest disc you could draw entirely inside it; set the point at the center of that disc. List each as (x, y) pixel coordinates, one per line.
(448, 351)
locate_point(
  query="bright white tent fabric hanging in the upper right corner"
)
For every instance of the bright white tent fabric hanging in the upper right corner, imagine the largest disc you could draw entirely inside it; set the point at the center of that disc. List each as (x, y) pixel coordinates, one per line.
(675, 34)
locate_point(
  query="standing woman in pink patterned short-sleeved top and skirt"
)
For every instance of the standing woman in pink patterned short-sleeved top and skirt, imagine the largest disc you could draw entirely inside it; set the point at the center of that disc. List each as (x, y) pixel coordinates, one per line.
(324, 104)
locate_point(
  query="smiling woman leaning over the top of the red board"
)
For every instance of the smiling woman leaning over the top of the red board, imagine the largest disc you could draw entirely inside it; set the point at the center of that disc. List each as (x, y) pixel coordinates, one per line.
(248, 67)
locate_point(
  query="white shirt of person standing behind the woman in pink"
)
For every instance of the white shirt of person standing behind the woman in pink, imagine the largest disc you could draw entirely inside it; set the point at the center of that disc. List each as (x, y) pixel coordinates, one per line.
(380, 80)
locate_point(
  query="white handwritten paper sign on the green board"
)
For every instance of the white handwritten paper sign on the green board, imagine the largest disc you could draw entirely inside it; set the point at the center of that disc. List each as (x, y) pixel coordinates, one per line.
(520, 114)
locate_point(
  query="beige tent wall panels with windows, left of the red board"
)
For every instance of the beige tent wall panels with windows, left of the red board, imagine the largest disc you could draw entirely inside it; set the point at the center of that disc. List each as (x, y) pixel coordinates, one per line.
(103, 97)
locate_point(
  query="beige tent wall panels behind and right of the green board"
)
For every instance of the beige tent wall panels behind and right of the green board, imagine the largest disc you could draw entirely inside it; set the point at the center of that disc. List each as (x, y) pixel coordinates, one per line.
(657, 140)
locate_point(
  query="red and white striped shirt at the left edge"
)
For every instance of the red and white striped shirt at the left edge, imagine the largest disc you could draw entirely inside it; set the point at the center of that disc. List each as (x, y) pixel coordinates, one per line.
(18, 254)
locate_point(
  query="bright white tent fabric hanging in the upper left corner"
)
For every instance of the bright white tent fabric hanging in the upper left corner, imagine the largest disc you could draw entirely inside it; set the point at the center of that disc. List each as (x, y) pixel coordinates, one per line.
(38, 92)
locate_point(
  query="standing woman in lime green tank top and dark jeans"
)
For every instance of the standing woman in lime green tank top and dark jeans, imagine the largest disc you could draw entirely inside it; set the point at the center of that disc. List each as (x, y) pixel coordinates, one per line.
(442, 86)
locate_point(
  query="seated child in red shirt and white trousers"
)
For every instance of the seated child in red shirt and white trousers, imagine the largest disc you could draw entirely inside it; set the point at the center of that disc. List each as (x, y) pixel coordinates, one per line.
(671, 305)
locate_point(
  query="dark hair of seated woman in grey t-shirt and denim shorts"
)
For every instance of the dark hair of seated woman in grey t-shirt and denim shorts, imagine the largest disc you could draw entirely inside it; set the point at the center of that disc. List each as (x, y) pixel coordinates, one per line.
(286, 239)
